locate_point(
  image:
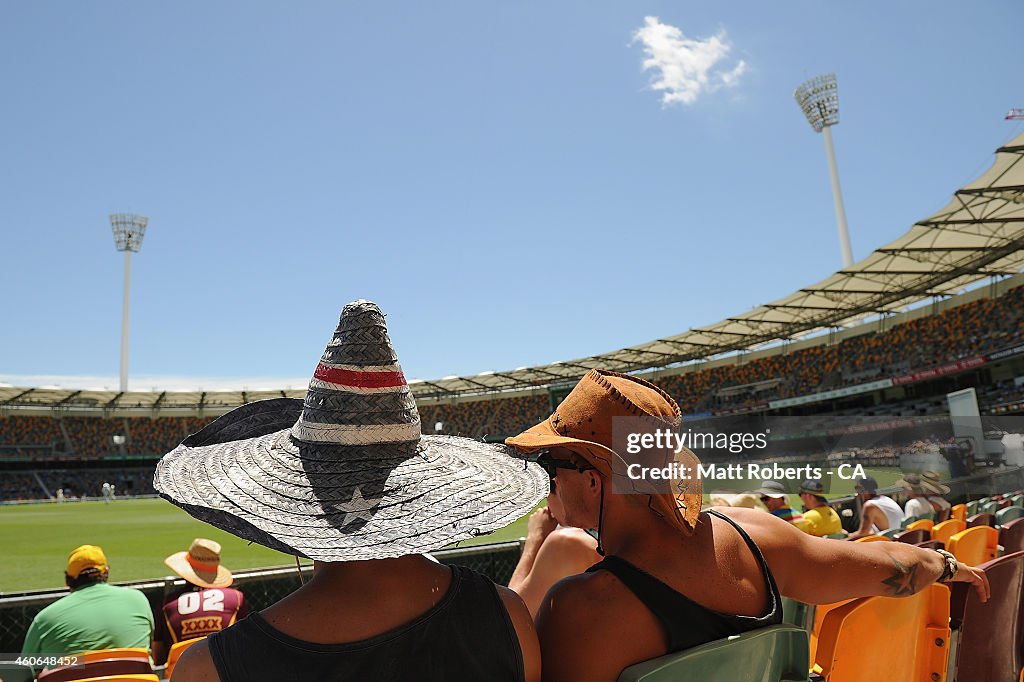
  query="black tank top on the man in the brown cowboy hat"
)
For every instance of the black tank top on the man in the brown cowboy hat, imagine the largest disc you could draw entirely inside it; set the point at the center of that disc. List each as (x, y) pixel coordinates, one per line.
(687, 623)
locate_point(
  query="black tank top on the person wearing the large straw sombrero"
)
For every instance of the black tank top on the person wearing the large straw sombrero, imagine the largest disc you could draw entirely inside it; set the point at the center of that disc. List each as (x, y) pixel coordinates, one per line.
(468, 635)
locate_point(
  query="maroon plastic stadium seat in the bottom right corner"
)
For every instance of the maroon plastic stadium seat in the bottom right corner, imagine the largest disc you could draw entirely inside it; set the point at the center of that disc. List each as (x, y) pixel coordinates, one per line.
(991, 645)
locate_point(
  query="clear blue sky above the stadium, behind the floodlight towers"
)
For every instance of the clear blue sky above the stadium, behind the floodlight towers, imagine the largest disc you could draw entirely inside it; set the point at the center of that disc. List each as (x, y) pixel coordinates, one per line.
(505, 180)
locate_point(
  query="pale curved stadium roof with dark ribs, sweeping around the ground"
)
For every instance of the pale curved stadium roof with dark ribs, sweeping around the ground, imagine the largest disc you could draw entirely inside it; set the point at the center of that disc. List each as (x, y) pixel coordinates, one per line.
(979, 235)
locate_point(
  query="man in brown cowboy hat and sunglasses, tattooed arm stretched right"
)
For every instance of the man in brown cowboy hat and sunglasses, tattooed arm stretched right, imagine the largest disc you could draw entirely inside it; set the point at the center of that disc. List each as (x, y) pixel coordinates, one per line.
(675, 577)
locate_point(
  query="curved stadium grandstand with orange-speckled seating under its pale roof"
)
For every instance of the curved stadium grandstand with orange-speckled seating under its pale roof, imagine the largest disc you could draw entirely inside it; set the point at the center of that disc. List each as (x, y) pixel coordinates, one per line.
(938, 310)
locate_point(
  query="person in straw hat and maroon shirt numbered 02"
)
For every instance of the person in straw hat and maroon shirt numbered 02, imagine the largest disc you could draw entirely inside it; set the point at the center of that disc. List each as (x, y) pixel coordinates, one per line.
(207, 606)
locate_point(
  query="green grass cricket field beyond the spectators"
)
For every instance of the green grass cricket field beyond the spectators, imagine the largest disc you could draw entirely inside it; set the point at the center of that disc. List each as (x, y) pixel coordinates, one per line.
(137, 535)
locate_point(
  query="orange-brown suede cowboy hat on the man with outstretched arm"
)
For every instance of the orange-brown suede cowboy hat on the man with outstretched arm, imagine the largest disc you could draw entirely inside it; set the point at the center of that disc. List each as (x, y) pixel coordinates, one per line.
(583, 423)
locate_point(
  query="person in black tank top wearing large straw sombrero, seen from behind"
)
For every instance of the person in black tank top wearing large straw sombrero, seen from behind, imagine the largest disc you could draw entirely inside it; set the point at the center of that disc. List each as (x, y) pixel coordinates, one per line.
(347, 480)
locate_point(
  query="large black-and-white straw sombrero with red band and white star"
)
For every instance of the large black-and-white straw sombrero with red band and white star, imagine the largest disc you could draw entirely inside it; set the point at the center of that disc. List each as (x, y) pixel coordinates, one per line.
(346, 475)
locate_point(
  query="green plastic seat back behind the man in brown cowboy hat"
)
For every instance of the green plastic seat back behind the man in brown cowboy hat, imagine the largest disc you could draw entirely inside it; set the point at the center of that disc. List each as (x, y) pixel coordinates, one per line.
(778, 654)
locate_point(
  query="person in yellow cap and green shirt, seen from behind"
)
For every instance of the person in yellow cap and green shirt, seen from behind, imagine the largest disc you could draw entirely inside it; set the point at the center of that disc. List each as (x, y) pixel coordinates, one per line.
(95, 616)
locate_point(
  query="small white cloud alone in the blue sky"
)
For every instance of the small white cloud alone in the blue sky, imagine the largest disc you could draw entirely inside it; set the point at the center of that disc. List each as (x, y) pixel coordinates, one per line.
(687, 68)
